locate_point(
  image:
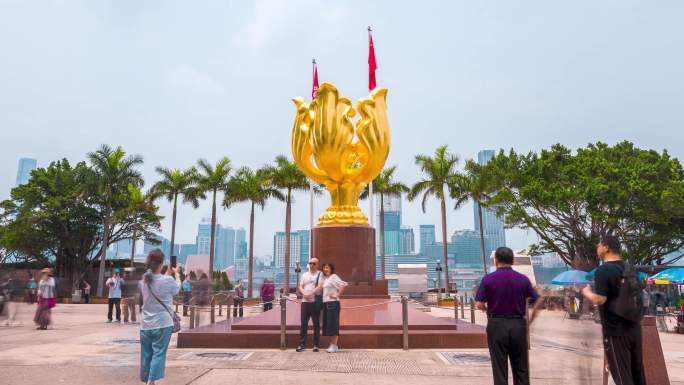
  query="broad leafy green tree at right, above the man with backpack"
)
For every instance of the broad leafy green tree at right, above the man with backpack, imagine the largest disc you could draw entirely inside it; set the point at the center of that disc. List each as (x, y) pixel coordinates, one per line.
(571, 200)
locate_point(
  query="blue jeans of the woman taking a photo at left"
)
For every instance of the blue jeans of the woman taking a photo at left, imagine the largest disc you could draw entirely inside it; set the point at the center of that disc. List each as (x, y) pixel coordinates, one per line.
(153, 346)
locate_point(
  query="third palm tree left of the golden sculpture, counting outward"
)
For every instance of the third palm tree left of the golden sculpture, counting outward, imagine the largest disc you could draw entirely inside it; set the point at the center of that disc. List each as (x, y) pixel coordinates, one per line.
(213, 179)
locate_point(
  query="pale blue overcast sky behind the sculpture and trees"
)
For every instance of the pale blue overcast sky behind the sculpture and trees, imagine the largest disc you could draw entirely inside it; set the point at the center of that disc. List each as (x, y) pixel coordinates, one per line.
(174, 81)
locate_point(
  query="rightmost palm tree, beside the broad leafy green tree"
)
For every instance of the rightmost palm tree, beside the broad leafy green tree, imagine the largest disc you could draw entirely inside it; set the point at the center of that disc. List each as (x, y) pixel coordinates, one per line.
(473, 185)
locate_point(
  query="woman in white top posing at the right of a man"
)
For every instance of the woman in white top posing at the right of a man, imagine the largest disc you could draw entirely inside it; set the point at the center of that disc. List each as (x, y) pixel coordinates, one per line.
(333, 287)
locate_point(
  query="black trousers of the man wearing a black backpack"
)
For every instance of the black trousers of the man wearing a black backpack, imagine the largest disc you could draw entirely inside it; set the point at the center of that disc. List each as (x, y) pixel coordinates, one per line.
(624, 359)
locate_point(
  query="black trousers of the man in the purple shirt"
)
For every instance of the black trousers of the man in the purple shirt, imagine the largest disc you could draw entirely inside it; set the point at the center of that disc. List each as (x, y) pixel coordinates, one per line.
(507, 339)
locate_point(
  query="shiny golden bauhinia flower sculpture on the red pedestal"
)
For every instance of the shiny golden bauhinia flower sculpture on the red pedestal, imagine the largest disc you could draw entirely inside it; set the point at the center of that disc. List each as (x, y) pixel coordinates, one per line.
(334, 152)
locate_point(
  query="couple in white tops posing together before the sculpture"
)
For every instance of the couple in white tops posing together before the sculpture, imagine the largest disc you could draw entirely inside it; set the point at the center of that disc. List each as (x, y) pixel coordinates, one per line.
(321, 291)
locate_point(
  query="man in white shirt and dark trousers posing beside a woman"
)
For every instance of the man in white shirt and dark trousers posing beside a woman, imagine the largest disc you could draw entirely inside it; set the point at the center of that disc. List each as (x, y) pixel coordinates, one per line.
(311, 287)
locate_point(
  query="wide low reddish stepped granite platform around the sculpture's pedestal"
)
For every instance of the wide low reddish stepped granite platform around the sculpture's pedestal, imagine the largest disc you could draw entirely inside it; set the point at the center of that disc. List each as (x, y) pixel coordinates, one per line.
(375, 327)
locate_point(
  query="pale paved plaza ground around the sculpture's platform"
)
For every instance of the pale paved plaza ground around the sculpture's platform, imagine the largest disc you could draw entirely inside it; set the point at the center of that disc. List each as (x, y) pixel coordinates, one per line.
(82, 349)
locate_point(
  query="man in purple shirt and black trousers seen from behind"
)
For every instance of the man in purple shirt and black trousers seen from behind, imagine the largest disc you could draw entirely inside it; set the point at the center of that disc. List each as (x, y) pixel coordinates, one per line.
(503, 294)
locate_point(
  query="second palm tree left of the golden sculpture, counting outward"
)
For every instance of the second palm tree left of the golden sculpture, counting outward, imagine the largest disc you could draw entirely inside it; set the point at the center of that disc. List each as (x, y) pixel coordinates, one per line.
(255, 187)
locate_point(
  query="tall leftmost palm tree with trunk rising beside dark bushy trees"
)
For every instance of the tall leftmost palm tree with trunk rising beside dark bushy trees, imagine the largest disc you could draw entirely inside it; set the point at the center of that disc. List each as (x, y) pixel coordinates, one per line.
(111, 173)
